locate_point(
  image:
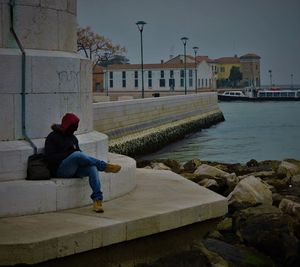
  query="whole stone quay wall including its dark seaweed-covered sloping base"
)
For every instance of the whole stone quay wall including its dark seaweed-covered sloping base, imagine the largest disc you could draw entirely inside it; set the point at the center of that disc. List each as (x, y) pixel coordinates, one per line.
(142, 126)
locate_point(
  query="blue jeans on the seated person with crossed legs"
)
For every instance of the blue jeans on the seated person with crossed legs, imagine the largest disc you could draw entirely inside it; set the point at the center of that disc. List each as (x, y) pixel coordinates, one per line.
(78, 164)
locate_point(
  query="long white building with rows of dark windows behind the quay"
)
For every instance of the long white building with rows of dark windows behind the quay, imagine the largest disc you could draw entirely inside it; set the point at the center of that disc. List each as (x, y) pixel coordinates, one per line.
(158, 77)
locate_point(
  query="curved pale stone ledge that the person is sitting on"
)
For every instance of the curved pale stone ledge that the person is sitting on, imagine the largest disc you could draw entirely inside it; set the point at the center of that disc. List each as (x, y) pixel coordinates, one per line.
(23, 197)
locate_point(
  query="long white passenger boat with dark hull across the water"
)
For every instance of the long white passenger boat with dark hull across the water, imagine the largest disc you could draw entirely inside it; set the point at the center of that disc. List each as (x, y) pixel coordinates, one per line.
(260, 94)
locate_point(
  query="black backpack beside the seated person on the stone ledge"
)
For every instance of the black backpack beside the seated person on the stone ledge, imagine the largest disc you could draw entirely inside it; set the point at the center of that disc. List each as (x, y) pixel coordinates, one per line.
(37, 168)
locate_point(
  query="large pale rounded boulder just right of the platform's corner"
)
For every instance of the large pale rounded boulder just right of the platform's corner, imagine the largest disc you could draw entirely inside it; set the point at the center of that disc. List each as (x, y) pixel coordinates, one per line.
(250, 191)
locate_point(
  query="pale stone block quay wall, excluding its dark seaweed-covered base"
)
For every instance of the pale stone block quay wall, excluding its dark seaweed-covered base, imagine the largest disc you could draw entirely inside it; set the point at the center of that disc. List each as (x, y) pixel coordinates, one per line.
(123, 117)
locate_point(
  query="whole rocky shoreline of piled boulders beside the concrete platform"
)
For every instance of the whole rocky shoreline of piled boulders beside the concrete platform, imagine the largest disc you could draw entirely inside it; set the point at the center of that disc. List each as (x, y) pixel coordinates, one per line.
(262, 227)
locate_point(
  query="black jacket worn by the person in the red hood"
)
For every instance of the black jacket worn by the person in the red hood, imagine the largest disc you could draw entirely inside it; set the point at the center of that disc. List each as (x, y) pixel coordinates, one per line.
(58, 146)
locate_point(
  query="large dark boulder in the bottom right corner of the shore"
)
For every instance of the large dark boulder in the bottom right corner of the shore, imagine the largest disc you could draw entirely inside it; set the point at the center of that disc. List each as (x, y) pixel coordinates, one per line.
(270, 231)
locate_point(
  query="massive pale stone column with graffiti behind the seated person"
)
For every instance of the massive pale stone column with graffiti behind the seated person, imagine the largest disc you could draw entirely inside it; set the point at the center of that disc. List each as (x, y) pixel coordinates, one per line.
(57, 80)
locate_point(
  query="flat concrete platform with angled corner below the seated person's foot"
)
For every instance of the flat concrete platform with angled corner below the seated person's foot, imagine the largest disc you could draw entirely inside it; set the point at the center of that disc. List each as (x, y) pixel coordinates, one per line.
(162, 200)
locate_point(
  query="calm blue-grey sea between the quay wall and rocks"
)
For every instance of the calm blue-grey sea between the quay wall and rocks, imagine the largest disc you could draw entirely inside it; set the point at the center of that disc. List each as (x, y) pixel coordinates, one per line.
(261, 131)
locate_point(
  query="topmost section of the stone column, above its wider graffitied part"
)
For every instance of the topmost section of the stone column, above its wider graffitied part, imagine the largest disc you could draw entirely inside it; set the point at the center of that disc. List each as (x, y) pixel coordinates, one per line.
(40, 24)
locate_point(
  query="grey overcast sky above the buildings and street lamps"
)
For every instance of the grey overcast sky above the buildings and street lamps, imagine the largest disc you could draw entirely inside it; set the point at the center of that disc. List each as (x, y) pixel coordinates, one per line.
(269, 28)
